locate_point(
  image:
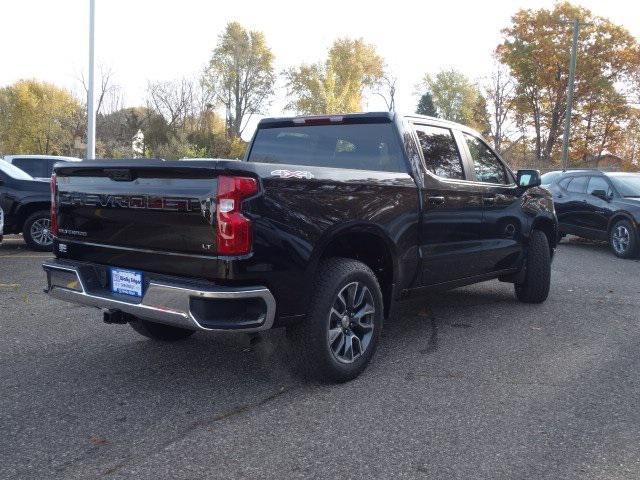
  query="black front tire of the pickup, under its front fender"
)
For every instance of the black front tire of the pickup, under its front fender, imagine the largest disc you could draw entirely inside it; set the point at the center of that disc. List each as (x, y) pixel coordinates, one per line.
(537, 275)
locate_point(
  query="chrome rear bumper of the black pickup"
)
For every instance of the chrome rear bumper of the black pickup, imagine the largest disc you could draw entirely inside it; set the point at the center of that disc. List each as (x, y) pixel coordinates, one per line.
(163, 301)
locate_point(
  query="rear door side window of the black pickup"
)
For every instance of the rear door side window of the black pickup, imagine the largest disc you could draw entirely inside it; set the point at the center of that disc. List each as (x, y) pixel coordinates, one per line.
(440, 151)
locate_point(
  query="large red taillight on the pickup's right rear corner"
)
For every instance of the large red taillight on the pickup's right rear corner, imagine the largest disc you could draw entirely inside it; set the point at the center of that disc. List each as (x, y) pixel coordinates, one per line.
(233, 232)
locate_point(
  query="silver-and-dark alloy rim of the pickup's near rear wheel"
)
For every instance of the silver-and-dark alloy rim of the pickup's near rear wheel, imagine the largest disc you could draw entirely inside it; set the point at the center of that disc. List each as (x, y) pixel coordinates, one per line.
(351, 321)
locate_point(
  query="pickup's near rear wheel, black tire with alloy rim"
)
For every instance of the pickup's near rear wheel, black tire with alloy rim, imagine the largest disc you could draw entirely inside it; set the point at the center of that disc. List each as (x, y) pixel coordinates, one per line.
(316, 355)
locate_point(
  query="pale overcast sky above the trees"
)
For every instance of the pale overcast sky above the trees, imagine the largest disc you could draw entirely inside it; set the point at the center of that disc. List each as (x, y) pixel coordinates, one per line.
(143, 40)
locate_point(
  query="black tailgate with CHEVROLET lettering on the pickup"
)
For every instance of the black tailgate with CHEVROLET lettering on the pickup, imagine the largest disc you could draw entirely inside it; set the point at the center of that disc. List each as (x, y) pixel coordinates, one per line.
(152, 205)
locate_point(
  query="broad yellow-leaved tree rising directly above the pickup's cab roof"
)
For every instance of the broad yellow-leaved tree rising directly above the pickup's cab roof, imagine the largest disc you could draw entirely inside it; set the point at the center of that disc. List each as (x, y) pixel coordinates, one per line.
(338, 84)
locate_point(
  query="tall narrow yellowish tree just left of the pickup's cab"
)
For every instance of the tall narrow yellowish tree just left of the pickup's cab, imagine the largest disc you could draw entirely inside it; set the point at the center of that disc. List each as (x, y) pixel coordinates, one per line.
(240, 74)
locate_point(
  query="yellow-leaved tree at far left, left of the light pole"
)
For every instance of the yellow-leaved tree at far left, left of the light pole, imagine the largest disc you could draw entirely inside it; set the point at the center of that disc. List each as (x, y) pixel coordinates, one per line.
(37, 117)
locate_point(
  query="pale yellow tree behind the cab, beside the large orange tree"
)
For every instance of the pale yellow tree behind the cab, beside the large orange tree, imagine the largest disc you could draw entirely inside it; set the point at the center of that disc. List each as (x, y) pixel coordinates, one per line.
(457, 99)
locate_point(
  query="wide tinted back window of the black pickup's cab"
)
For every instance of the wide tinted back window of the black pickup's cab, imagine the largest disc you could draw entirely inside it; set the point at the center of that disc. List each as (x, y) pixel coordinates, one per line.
(372, 146)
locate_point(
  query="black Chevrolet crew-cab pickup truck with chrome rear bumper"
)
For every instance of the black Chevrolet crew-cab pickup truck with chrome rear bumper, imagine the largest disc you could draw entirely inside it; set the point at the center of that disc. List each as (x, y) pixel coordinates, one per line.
(321, 228)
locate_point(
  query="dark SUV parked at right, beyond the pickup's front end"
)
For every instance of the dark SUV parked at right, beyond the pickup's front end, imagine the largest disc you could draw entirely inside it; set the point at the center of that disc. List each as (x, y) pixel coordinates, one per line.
(600, 206)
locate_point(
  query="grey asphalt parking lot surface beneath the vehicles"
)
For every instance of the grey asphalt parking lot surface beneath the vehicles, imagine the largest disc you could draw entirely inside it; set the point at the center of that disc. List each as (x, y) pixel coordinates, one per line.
(467, 384)
